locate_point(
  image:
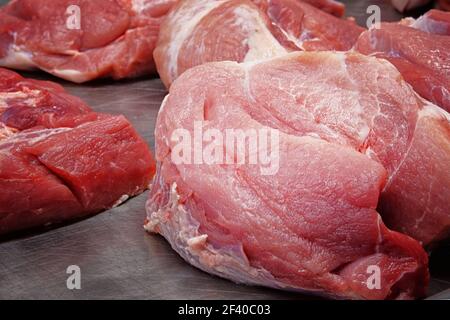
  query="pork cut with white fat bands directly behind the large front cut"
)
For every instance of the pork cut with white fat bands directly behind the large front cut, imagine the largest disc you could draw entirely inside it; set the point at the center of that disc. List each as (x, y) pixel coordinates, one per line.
(199, 31)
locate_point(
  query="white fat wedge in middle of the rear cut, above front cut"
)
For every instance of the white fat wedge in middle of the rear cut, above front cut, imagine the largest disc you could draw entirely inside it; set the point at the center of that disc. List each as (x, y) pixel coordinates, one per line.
(260, 41)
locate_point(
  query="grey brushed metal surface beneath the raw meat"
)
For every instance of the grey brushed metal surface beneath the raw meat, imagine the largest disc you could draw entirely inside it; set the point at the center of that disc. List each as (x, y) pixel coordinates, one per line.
(117, 258)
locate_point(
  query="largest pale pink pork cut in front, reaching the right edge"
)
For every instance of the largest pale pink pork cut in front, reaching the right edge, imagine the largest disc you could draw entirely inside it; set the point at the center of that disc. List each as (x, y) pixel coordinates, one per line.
(351, 136)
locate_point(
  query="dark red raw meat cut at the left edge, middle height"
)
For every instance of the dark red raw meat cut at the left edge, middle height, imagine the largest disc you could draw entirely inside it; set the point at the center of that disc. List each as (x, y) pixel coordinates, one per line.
(59, 160)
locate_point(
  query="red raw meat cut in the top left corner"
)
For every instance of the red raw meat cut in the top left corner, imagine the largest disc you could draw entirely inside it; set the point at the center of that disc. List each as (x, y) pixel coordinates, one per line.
(80, 40)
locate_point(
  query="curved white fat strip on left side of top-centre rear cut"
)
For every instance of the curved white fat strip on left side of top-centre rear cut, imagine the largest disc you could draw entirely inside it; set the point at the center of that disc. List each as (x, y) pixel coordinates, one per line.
(187, 17)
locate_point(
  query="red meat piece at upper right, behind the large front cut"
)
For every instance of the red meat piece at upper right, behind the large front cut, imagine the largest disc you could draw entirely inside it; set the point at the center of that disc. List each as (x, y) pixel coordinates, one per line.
(422, 58)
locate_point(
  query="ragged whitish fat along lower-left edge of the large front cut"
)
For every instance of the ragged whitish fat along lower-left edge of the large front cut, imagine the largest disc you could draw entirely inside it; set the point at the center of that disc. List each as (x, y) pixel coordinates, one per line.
(174, 222)
